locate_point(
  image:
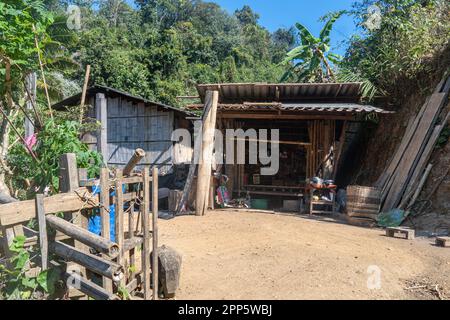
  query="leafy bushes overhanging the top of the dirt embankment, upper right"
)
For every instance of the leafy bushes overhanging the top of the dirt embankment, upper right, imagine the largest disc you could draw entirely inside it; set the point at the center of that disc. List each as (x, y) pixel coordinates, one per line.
(410, 34)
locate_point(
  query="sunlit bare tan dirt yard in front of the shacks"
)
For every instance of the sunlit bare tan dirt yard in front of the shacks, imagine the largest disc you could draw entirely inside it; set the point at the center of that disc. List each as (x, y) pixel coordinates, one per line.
(255, 255)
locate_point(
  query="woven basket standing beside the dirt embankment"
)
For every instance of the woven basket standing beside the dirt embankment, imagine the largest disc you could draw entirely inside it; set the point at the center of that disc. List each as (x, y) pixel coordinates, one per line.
(363, 202)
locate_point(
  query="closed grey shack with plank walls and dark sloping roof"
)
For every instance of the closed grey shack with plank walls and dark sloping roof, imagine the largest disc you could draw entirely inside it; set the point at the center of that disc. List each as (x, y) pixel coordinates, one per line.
(128, 122)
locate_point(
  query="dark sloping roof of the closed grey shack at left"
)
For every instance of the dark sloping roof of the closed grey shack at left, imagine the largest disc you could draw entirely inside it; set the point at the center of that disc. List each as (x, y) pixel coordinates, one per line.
(75, 99)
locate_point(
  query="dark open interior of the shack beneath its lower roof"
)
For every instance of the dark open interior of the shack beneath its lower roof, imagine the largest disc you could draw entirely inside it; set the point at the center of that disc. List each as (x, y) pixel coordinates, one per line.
(306, 149)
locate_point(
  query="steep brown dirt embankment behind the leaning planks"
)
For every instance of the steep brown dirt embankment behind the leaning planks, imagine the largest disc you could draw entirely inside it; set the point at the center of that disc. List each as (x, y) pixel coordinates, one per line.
(383, 140)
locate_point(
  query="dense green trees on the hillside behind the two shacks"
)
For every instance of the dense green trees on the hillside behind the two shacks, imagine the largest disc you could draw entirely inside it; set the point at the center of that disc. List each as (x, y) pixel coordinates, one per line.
(161, 48)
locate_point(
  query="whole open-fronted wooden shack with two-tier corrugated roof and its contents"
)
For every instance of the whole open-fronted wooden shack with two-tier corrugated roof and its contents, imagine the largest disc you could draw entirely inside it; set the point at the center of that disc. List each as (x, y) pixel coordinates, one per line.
(311, 118)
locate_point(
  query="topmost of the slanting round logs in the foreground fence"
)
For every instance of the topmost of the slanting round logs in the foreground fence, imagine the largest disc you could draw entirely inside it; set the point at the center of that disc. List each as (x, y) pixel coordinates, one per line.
(84, 236)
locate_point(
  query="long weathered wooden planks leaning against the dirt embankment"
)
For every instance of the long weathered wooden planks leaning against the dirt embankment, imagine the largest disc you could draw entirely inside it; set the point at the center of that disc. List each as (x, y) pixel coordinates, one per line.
(407, 172)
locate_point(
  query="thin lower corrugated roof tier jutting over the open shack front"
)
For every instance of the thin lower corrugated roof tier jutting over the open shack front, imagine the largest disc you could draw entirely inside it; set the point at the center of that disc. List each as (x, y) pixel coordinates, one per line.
(307, 107)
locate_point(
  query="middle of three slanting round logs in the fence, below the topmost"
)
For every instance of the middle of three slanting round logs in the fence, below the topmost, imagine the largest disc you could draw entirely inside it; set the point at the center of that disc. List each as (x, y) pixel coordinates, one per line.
(99, 265)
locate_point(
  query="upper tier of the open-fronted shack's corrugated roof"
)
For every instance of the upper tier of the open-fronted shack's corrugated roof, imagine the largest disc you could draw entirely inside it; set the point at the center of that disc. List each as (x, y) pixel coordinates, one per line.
(240, 92)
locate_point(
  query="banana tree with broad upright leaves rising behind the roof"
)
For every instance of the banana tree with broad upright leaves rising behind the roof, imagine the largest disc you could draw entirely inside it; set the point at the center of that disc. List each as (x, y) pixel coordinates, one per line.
(310, 61)
